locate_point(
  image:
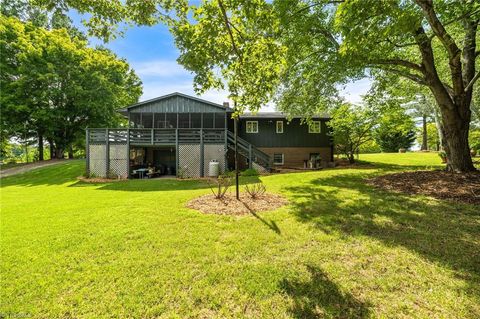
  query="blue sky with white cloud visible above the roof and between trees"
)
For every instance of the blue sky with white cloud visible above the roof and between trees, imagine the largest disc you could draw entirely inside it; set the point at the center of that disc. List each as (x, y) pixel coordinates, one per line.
(151, 52)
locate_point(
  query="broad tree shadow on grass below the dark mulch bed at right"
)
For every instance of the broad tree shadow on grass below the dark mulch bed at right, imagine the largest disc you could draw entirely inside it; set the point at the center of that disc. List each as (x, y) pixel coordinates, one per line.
(443, 232)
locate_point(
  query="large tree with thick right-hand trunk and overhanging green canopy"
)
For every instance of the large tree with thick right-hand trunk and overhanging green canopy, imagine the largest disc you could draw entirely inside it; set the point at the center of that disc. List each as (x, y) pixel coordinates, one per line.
(430, 42)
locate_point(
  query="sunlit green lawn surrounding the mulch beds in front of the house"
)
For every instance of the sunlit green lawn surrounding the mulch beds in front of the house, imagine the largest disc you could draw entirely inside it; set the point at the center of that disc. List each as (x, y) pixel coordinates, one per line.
(132, 250)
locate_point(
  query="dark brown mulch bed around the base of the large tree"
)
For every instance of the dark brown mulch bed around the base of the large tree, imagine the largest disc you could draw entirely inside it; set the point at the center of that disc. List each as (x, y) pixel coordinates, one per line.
(438, 184)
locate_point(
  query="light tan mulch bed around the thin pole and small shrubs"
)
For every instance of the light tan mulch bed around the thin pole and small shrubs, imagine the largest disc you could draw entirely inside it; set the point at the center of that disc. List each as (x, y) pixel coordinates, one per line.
(229, 205)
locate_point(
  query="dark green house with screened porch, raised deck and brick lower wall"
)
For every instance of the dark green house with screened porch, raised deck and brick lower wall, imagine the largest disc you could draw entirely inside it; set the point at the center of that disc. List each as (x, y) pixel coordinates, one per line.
(177, 134)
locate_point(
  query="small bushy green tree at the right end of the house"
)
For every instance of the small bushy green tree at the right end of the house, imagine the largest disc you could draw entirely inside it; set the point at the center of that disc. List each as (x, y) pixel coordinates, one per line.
(352, 126)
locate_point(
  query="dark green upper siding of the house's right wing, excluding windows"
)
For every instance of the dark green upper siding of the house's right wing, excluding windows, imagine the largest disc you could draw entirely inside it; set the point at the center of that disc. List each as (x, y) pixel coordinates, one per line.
(294, 134)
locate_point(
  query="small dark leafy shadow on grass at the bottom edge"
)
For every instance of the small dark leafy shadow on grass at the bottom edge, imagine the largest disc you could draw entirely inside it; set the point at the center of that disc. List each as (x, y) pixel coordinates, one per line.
(319, 297)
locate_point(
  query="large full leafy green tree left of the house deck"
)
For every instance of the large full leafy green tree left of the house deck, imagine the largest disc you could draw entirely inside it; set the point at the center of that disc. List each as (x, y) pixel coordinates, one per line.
(56, 86)
